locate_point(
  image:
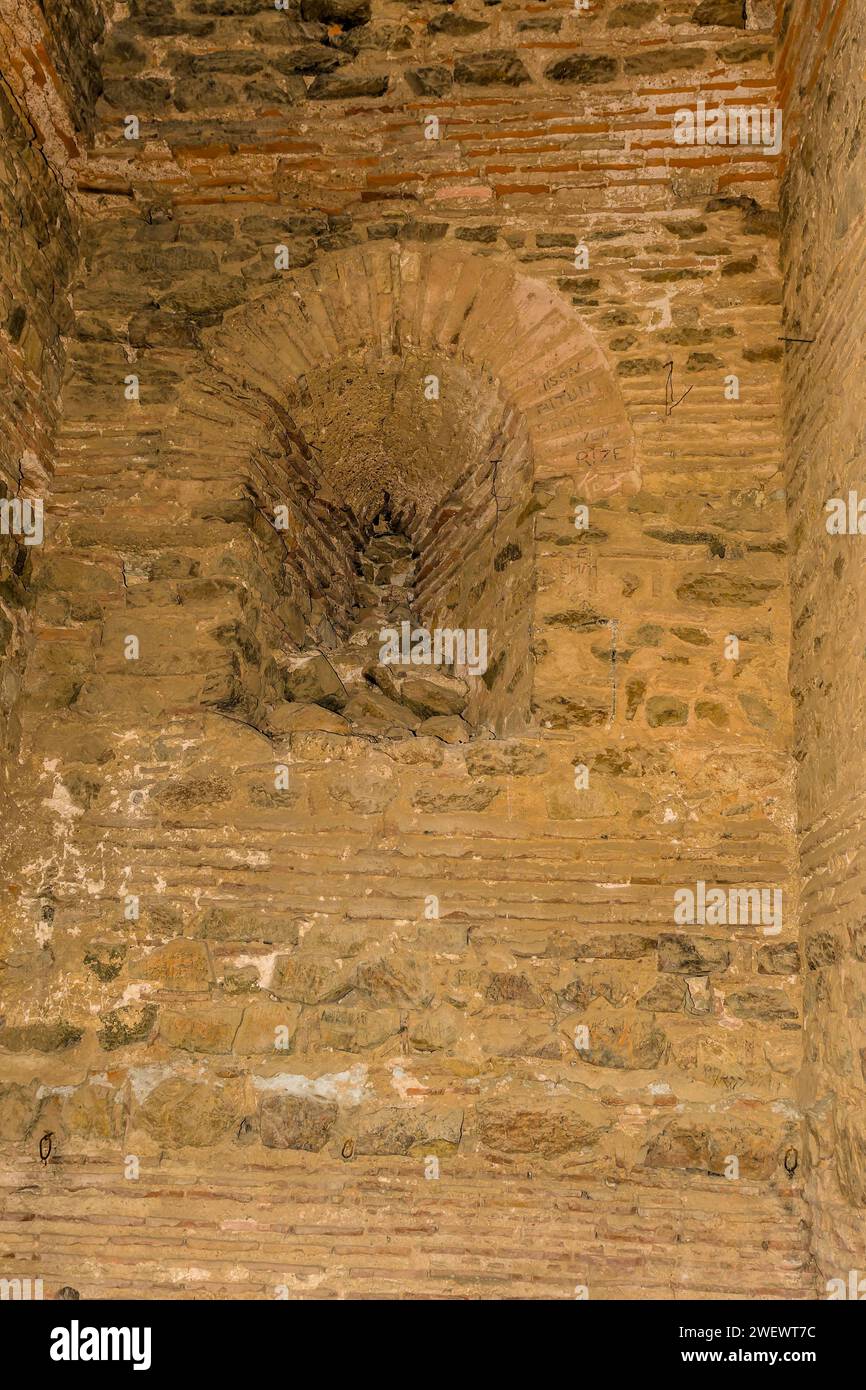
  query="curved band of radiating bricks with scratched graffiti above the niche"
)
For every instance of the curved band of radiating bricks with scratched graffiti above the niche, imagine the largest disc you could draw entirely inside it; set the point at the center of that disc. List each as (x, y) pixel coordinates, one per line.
(468, 309)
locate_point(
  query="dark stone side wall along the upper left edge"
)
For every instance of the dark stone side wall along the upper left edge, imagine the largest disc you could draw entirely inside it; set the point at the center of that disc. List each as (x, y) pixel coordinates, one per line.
(38, 258)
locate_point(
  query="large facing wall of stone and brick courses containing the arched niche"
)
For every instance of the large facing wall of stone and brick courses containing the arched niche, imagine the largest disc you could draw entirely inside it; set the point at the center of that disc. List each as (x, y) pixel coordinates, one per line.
(259, 910)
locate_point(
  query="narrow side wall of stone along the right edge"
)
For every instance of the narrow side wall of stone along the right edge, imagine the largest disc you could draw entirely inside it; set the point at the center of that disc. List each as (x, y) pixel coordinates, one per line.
(822, 70)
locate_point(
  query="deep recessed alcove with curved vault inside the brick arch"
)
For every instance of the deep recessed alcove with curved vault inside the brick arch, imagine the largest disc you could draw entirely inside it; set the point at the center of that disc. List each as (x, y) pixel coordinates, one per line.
(425, 443)
